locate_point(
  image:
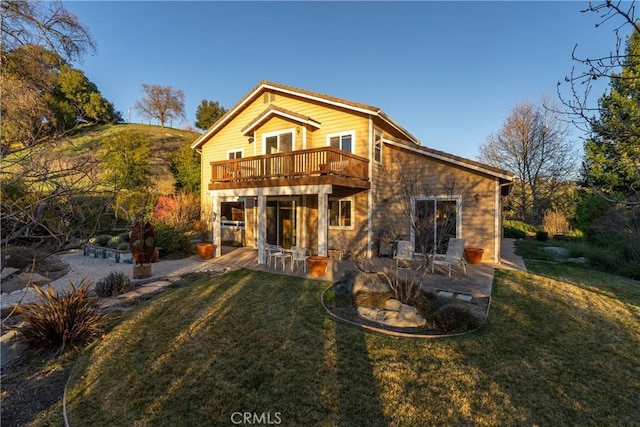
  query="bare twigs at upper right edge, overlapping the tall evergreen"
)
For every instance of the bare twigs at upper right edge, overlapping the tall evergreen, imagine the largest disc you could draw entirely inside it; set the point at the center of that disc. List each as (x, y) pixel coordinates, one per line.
(612, 122)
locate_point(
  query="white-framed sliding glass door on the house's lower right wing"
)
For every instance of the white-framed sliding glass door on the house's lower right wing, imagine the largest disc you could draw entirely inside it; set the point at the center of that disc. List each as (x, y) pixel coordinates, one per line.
(435, 221)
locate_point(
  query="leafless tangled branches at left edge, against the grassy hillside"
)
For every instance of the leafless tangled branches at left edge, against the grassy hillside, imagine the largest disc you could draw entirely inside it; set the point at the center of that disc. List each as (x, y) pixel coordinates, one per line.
(49, 197)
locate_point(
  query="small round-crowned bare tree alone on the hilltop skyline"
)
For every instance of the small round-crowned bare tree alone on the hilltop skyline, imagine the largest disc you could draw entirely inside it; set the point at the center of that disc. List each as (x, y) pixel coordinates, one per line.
(161, 102)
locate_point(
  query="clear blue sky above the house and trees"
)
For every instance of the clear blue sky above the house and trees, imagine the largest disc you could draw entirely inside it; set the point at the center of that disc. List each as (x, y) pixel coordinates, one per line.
(449, 72)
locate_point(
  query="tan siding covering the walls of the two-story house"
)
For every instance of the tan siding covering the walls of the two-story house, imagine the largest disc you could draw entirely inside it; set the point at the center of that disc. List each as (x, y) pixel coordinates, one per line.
(435, 177)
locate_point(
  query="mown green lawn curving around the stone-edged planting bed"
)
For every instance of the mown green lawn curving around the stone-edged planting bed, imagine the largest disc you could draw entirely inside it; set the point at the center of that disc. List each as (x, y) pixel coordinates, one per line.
(553, 352)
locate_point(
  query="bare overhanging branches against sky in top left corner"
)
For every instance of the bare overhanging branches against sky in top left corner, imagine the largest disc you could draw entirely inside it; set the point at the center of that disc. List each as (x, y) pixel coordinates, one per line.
(47, 24)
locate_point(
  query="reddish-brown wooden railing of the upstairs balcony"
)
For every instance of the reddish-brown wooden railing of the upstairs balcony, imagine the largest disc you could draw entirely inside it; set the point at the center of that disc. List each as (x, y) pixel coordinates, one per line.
(292, 164)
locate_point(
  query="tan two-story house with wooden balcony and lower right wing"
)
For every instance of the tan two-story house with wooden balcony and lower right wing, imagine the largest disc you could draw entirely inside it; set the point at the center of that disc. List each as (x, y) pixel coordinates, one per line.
(288, 166)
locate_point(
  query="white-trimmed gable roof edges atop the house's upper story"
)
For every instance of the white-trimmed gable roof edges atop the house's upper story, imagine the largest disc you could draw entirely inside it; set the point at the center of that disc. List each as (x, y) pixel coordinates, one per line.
(301, 93)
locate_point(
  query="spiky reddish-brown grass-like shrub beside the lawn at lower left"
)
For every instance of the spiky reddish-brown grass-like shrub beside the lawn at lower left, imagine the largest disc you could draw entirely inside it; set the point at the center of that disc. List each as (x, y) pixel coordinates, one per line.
(57, 321)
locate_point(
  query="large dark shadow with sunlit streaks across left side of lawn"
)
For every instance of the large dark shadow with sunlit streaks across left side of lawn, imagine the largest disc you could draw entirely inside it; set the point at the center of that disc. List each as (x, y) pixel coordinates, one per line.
(216, 351)
